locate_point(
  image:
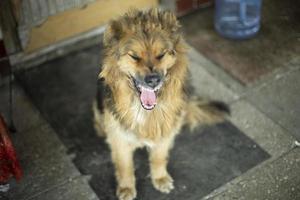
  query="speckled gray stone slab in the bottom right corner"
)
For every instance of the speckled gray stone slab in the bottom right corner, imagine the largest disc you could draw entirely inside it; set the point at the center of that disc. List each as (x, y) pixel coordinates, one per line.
(274, 179)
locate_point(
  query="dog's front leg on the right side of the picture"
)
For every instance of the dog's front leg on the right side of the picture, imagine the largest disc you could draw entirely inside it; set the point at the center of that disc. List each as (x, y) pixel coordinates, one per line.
(161, 179)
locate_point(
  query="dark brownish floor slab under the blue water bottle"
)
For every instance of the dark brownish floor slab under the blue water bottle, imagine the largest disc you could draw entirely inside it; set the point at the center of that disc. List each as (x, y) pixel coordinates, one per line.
(275, 46)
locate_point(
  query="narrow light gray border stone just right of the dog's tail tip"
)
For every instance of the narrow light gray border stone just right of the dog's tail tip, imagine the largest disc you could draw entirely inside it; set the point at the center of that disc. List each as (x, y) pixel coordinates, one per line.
(261, 129)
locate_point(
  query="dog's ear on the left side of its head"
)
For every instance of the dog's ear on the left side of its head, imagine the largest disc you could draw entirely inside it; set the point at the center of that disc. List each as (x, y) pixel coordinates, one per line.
(113, 33)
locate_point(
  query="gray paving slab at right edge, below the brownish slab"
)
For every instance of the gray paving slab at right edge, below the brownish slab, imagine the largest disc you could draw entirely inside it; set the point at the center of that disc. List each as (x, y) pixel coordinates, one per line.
(284, 108)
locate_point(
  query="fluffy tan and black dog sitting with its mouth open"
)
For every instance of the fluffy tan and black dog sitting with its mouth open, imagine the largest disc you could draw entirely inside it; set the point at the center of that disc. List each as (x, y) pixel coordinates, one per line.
(144, 95)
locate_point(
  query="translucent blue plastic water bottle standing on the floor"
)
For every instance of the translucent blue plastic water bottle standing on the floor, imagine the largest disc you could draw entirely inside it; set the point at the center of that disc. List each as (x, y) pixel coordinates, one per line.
(237, 19)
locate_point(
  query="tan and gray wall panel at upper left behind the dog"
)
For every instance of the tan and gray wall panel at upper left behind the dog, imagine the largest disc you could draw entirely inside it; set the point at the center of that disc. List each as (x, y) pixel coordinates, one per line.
(45, 22)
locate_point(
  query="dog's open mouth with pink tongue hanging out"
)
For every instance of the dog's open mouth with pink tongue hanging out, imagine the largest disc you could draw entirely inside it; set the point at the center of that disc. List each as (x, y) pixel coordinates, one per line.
(148, 96)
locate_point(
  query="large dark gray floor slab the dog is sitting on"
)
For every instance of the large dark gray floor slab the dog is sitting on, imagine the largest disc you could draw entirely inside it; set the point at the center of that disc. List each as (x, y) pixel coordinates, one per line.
(200, 162)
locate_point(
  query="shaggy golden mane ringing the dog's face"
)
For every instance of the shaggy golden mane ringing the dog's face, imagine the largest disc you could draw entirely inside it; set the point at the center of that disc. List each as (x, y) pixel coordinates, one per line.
(160, 121)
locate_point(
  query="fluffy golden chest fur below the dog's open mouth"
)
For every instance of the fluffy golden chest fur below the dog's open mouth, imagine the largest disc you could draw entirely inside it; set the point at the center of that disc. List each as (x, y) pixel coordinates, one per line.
(153, 125)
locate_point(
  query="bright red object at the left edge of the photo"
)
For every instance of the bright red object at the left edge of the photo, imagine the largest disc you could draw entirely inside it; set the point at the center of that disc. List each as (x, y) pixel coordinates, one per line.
(9, 165)
